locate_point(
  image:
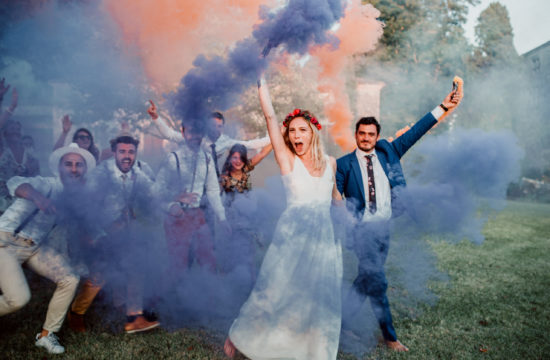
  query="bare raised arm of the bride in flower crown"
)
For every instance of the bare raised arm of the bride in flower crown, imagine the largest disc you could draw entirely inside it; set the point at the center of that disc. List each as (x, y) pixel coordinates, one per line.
(283, 155)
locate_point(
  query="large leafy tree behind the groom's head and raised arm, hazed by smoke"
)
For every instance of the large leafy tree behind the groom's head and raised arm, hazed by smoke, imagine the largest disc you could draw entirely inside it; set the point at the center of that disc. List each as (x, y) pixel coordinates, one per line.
(422, 48)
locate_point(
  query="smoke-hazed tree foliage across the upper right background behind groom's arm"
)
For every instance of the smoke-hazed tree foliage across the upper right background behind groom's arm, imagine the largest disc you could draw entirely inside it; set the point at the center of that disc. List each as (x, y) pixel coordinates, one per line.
(424, 46)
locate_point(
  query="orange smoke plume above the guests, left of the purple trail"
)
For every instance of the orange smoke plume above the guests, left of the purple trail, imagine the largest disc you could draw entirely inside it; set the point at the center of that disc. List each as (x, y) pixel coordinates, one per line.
(169, 34)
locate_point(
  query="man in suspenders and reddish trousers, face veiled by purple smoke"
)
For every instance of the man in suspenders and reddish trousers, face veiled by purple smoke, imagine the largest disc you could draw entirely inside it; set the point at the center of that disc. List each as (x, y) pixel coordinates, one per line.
(184, 177)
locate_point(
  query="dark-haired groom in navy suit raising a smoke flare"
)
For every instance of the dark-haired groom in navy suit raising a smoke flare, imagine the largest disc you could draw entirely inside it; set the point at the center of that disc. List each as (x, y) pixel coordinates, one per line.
(372, 180)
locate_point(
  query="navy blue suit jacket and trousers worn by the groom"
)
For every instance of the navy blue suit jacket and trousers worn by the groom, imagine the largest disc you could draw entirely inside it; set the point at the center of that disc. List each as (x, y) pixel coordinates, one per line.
(371, 239)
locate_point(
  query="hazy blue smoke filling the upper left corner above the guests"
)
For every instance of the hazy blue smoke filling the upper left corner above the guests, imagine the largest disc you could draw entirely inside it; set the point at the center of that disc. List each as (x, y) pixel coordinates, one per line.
(75, 44)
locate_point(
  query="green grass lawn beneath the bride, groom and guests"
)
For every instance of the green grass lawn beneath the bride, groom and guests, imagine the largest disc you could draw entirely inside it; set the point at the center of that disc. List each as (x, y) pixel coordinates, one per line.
(495, 306)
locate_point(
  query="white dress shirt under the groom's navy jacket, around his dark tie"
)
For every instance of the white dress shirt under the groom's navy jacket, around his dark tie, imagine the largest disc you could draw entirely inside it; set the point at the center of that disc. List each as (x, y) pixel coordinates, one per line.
(381, 185)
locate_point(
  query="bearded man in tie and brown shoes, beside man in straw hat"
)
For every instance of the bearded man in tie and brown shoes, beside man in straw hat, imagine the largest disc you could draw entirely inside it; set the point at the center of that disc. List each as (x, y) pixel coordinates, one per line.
(121, 198)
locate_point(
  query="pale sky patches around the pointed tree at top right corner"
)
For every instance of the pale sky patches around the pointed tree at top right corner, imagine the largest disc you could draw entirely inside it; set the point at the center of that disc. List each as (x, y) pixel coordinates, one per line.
(529, 20)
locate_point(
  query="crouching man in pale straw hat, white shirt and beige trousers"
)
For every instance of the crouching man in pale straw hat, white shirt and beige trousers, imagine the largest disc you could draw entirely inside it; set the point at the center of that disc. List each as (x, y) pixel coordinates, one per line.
(25, 225)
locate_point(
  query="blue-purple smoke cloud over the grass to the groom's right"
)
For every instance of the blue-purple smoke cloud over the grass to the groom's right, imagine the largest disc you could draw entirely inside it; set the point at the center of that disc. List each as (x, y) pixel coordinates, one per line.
(459, 178)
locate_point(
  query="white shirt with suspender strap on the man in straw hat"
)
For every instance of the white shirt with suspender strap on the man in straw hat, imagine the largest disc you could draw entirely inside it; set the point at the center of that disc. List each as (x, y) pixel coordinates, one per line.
(41, 224)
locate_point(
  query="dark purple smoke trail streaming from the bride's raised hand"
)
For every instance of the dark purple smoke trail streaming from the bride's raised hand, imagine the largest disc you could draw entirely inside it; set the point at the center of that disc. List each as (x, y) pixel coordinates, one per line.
(216, 82)
